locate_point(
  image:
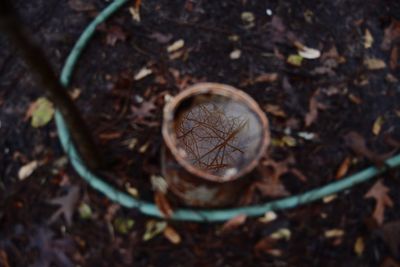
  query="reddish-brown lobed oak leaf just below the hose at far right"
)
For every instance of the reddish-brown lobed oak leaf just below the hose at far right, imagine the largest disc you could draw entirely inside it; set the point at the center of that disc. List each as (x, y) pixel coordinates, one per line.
(380, 193)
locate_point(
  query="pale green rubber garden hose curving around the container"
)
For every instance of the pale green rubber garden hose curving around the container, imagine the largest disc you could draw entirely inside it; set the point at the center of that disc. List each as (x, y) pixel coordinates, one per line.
(151, 209)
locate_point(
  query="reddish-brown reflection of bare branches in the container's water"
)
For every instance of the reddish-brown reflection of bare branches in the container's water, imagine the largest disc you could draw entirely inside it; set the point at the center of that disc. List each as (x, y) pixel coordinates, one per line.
(211, 137)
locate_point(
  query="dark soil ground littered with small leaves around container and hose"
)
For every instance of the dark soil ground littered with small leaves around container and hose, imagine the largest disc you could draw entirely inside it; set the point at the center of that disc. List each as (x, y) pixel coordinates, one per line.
(351, 96)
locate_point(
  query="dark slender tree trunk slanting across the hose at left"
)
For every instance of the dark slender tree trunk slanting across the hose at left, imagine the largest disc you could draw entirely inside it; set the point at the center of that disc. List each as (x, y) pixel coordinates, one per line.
(39, 65)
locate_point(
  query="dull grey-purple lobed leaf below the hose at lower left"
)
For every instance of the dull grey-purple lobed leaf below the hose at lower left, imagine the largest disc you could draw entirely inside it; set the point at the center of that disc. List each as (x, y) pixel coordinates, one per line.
(67, 205)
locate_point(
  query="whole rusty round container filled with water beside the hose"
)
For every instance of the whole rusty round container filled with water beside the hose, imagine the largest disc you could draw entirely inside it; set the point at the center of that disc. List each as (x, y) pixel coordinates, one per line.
(214, 136)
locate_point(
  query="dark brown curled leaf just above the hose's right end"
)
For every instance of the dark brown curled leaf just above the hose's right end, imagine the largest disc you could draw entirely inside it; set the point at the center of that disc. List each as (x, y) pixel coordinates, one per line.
(357, 143)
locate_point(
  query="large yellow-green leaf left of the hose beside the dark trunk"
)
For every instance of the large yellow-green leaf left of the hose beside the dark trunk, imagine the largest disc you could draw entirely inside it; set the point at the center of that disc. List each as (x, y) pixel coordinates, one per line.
(42, 112)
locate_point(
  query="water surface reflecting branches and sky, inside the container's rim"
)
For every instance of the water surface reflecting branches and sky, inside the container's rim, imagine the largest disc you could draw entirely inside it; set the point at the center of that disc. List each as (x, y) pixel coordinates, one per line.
(218, 135)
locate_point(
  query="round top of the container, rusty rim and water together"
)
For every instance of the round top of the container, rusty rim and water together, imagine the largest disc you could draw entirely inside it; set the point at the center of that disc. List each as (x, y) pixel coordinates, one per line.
(218, 134)
